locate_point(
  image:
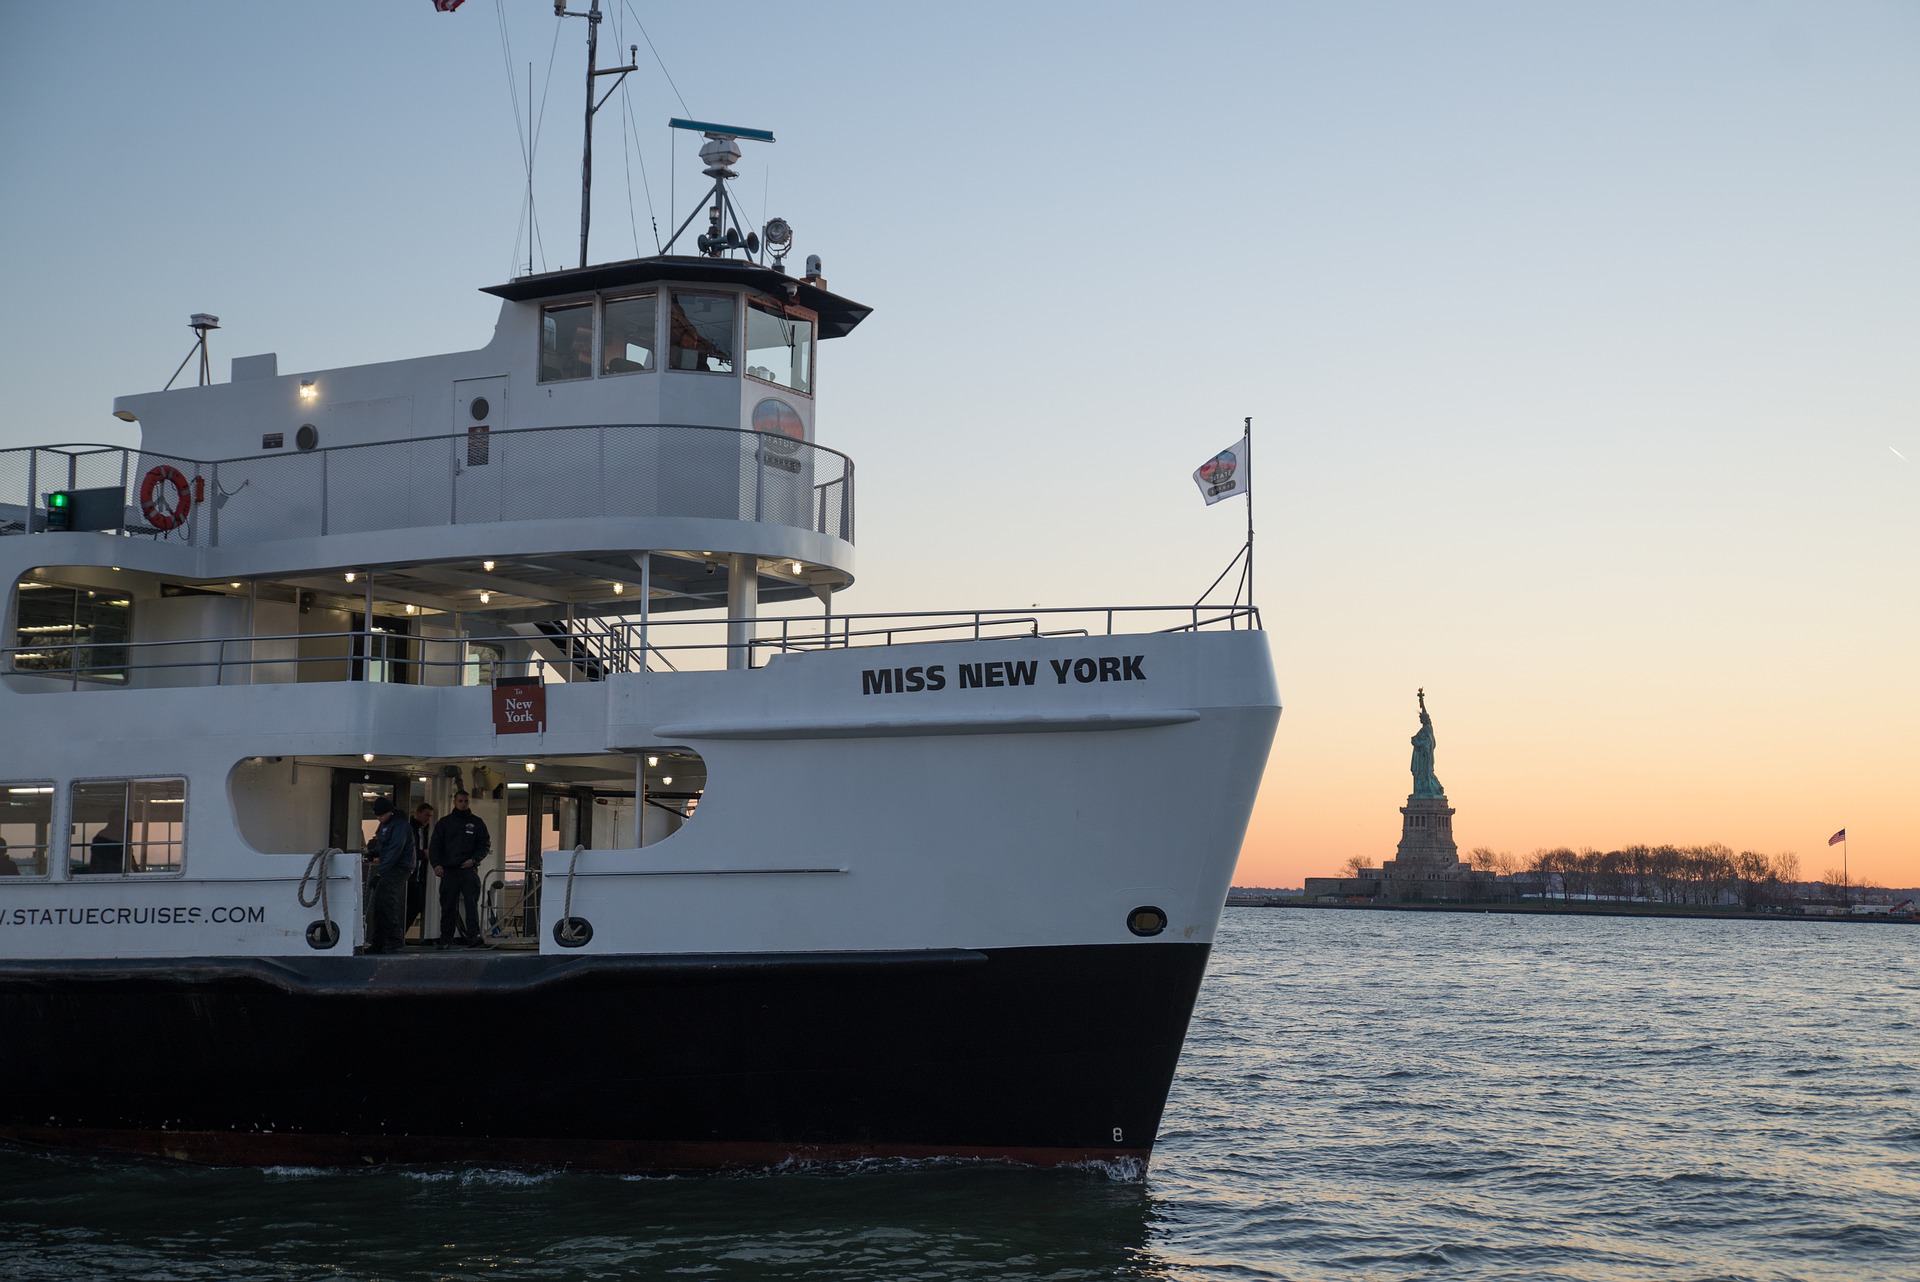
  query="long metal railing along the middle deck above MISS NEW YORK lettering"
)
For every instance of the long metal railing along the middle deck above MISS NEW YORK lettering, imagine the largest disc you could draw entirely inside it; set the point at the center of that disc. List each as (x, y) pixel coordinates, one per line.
(588, 650)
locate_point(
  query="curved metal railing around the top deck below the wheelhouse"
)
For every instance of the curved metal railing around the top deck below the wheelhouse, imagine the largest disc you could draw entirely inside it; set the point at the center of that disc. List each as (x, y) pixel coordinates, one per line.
(517, 475)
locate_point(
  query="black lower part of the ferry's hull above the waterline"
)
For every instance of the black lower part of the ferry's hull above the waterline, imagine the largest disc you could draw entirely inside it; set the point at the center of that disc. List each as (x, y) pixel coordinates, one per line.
(642, 1064)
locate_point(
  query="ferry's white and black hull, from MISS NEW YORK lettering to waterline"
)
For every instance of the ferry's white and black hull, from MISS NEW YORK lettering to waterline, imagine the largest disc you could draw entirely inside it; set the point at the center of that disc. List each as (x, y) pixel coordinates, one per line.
(896, 928)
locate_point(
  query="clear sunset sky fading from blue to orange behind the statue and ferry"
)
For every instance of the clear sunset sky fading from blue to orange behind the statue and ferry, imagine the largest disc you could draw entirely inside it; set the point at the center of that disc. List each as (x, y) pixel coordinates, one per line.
(1581, 341)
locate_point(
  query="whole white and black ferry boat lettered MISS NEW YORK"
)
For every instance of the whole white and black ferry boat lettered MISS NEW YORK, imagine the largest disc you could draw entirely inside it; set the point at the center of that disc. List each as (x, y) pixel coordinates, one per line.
(763, 886)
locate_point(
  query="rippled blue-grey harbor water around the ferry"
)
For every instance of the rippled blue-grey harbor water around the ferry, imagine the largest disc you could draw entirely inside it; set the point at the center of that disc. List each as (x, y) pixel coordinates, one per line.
(1364, 1097)
